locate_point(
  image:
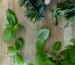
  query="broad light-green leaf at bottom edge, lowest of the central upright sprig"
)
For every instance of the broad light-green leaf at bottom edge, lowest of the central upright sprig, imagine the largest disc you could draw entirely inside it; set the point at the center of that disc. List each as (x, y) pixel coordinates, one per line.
(41, 59)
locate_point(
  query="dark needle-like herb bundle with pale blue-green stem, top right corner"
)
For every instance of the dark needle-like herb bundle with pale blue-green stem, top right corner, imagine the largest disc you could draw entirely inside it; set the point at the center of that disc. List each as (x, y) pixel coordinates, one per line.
(65, 8)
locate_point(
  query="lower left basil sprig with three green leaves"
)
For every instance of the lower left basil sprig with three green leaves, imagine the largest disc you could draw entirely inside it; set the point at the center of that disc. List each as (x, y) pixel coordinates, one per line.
(14, 51)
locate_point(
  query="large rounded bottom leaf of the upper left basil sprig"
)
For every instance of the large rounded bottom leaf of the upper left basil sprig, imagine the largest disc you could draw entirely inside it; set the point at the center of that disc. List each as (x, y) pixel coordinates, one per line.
(8, 34)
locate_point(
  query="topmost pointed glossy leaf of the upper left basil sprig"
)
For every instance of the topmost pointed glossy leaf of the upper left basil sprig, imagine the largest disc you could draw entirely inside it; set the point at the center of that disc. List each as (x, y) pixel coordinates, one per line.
(11, 17)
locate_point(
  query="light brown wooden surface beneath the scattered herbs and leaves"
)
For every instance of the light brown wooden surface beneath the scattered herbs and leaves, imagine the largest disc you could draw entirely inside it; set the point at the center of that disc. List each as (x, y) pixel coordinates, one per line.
(58, 33)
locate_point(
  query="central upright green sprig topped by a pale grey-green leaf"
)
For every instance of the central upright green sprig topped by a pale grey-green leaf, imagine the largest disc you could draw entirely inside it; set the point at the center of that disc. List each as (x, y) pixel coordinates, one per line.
(41, 57)
